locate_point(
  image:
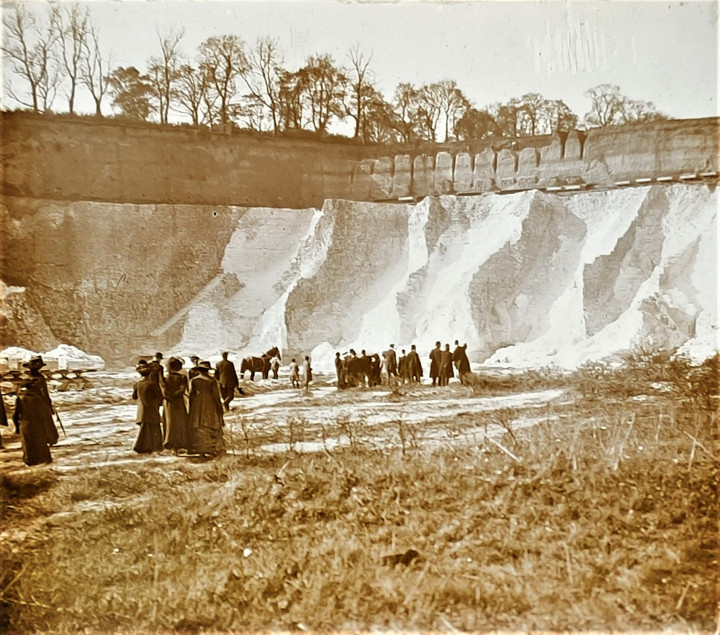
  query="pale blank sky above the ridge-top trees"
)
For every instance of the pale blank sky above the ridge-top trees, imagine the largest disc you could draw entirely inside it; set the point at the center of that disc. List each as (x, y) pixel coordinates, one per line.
(664, 52)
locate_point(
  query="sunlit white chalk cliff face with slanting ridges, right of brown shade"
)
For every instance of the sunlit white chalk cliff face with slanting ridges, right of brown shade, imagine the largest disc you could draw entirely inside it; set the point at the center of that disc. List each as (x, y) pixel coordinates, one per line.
(526, 279)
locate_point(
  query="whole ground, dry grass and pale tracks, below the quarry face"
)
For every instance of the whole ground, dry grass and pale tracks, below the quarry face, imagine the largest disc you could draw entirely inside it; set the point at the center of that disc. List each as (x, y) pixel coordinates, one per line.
(604, 520)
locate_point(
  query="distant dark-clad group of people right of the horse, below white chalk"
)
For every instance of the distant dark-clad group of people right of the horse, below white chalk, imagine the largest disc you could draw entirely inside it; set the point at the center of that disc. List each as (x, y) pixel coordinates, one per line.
(353, 369)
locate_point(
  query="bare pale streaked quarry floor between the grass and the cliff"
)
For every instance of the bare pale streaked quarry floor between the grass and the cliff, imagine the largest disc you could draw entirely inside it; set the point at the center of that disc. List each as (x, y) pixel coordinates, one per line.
(274, 418)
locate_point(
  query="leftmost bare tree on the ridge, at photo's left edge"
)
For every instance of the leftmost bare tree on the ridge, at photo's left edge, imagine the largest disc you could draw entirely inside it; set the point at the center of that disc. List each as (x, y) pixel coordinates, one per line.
(30, 51)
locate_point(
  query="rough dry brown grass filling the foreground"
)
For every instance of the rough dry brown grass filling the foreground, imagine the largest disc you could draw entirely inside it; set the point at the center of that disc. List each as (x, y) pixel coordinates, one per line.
(605, 518)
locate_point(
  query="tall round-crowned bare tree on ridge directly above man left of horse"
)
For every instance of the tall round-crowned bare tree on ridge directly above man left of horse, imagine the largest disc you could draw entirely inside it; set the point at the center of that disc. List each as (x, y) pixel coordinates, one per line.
(223, 61)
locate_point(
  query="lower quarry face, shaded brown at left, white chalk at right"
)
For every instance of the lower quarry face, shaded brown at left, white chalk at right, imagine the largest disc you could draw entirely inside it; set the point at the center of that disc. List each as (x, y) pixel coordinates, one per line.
(526, 279)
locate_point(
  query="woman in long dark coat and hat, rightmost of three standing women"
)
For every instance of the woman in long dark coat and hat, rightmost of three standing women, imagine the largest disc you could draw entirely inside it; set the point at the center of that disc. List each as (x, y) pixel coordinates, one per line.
(206, 412)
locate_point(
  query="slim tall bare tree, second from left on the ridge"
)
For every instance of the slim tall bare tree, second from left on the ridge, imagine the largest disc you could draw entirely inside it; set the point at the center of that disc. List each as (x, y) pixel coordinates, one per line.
(72, 28)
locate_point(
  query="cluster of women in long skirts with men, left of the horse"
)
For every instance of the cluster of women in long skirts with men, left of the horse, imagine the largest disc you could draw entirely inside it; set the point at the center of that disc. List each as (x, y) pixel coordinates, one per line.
(192, 405)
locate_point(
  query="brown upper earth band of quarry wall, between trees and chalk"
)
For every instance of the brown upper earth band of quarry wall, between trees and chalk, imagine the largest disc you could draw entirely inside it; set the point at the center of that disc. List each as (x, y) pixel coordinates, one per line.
(63, 159)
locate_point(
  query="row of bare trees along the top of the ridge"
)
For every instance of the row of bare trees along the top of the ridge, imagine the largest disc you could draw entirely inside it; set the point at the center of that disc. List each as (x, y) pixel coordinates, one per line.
(249, 86)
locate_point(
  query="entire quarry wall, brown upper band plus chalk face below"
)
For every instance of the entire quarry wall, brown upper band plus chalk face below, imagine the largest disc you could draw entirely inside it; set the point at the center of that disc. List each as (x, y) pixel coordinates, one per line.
(121, 240)
